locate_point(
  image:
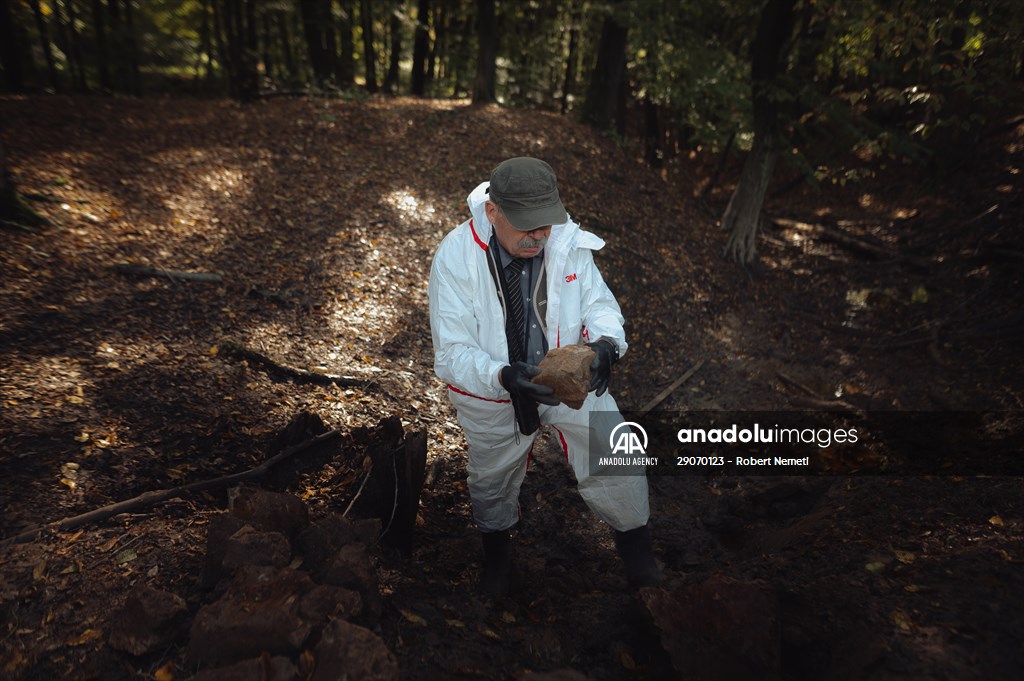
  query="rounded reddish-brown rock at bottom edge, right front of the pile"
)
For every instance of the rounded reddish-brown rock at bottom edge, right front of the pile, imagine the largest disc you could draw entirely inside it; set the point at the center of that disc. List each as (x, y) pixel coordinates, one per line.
(351, 652)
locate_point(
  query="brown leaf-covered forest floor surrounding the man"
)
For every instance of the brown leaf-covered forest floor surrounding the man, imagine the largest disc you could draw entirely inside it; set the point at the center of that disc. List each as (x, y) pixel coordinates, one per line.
(323, 217)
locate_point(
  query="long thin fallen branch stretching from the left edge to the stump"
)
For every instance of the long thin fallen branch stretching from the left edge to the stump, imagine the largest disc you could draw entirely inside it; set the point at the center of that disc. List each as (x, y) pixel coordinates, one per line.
(149, 499)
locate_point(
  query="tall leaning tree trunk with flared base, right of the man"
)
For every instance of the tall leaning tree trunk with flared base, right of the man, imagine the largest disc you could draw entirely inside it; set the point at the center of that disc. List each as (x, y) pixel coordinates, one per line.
(742, 217)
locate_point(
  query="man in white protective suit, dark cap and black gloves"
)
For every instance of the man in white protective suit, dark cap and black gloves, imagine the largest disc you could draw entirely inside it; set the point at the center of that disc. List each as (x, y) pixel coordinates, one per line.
(516, 280)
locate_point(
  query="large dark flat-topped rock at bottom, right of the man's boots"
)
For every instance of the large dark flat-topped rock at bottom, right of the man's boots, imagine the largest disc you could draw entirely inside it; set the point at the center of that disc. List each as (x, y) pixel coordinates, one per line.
(722, 629)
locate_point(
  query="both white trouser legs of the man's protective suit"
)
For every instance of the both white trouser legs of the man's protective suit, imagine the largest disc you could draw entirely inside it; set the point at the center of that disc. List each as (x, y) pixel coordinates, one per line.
(498, 463)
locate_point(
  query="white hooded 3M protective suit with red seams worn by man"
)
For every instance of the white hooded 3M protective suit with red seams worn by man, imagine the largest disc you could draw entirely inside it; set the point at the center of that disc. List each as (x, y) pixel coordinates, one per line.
(471, 349)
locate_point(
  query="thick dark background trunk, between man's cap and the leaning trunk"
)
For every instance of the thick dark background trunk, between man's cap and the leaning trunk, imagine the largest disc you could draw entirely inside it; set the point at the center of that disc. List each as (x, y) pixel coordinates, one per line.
(608, 81)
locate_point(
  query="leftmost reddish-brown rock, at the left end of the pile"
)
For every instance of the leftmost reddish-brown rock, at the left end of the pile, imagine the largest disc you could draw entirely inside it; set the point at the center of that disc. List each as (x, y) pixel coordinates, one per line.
(150, 620)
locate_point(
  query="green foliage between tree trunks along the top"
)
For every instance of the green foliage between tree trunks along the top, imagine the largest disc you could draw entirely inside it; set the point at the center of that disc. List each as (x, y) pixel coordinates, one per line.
(909, 80)
